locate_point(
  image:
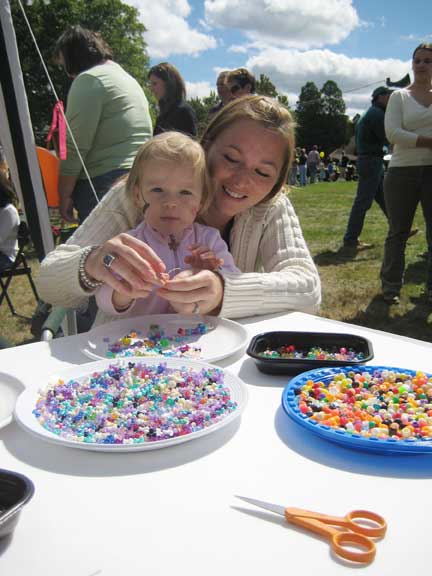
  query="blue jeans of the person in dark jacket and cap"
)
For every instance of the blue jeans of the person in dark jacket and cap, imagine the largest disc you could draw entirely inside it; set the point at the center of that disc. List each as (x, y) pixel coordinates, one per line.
(370, 187)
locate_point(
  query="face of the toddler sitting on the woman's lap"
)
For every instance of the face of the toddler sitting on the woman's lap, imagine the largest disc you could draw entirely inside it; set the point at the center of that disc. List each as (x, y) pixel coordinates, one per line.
(173, 194)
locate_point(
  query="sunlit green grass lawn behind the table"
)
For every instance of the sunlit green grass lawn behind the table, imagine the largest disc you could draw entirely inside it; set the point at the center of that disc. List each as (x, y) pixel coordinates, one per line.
(350, 284)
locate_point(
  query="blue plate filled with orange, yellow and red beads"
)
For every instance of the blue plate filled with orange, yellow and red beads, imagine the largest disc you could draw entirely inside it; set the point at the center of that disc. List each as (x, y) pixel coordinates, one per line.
(373, 408)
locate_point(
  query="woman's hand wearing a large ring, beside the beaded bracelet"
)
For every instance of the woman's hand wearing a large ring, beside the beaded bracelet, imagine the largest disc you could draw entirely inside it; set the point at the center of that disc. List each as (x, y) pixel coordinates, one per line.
(135, 270)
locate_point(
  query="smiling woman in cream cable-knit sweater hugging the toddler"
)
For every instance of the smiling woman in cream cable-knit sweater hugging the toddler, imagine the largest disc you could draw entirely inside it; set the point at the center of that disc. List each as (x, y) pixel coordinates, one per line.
(249, 147)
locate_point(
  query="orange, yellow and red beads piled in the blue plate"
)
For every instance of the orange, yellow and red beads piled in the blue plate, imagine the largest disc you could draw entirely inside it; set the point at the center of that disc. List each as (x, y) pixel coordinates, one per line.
(383, 404)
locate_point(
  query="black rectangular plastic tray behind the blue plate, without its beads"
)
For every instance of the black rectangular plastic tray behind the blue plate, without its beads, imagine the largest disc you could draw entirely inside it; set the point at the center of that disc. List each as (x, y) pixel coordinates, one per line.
(304, 341)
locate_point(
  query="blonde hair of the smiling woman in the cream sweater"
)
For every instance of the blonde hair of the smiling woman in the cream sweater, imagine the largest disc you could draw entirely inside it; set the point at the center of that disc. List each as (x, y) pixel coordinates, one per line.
(265, 111)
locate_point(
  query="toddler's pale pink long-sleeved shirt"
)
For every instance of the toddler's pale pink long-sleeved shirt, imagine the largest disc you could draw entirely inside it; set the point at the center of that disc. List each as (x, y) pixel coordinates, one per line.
(154, 304)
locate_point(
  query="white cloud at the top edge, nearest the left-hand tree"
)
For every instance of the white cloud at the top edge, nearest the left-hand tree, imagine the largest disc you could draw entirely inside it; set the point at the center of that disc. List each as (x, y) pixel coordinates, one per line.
(168, 31)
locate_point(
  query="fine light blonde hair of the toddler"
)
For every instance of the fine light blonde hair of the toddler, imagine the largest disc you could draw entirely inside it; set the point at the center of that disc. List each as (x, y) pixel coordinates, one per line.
(172, 147)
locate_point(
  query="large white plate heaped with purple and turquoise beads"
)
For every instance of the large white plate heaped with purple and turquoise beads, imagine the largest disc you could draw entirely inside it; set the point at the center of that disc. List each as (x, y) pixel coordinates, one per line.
(134, 404)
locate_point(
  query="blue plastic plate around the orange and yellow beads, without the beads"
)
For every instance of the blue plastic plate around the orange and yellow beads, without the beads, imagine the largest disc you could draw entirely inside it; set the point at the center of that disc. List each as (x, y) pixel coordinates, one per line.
(325, 375)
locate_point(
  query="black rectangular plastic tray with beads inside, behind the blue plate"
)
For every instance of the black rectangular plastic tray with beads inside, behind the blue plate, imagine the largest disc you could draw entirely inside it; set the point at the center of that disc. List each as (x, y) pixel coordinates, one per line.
(285, 352)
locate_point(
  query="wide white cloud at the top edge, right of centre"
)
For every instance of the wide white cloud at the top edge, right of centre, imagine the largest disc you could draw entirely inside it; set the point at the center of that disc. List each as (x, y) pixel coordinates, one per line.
(289, 23)
